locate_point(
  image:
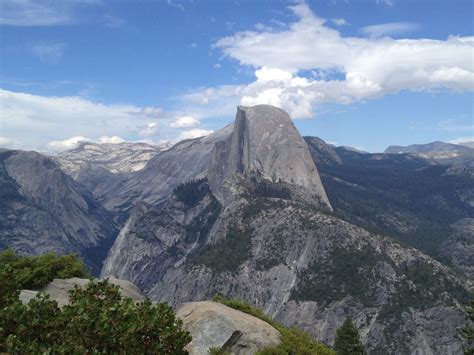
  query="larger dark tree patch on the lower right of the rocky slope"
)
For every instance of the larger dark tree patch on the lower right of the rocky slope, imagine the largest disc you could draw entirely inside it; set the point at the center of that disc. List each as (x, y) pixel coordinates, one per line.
(343, 274)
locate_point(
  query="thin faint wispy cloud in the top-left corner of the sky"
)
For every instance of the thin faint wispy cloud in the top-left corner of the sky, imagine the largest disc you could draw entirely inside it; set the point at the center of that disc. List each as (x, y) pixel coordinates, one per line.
(41, 12)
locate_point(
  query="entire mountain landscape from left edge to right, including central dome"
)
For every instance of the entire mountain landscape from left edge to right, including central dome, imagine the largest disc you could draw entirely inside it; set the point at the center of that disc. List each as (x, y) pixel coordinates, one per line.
(309, 232)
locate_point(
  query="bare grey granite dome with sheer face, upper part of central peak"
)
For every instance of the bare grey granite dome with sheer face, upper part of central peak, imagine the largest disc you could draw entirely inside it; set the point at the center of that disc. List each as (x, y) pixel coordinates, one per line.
(265, 143)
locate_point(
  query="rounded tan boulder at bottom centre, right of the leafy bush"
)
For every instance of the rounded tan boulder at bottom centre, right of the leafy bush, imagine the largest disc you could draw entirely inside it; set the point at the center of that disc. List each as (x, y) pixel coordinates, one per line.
(211, 324)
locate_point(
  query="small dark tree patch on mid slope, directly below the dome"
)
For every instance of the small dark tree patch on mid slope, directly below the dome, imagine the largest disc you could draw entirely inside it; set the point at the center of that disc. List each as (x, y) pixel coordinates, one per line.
(228, 253)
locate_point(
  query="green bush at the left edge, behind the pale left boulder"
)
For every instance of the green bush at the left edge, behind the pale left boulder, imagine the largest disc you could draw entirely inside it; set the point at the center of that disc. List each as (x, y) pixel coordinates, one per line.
(34, 272)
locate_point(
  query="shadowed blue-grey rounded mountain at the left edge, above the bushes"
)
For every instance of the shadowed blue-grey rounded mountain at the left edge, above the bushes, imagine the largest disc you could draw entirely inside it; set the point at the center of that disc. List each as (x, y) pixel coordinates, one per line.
(42, 209)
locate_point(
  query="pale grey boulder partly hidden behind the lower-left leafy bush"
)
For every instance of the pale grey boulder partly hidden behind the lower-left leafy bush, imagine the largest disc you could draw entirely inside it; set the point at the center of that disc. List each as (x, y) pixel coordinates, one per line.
(58, 290)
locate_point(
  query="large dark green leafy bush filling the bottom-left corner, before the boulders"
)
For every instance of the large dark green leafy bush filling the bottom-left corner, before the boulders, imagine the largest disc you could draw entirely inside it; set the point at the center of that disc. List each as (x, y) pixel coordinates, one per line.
(98, 320)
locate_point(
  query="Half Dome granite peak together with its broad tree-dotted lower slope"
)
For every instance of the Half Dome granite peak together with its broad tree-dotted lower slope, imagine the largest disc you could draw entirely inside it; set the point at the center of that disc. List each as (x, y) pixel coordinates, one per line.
(259, 239)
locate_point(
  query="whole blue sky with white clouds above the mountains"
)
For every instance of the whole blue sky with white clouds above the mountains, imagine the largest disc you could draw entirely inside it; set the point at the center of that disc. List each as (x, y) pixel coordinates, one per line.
(359, 73)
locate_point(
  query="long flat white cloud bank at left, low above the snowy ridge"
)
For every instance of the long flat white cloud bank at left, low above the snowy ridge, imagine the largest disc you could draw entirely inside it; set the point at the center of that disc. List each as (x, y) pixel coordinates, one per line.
(48, 123)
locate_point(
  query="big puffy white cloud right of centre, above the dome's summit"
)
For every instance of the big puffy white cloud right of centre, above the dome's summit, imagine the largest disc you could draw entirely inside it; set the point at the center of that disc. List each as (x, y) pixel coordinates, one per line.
(365, 67)
